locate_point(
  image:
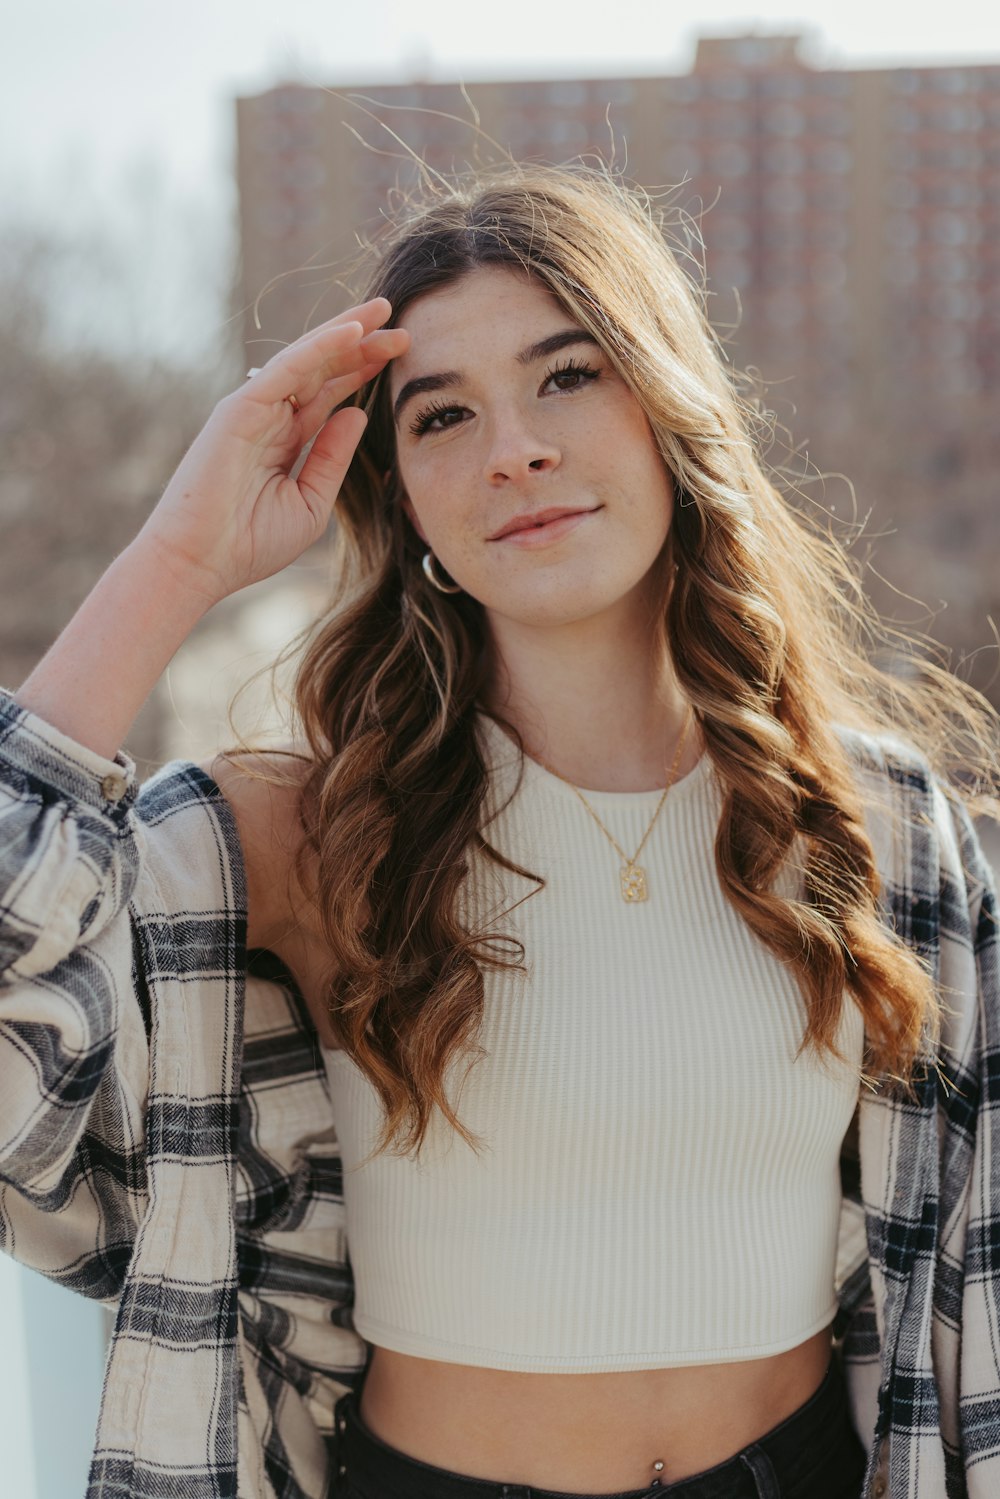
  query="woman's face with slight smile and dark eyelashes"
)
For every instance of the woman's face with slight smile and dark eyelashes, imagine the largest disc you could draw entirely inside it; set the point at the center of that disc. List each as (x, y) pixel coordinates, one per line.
(506, 410)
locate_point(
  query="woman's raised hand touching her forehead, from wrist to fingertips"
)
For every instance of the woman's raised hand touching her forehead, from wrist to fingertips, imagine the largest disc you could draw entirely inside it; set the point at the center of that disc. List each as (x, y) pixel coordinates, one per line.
(232, 515)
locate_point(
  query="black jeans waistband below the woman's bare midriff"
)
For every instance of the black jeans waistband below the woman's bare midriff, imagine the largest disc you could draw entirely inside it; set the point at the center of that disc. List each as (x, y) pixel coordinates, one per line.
(813, 1455)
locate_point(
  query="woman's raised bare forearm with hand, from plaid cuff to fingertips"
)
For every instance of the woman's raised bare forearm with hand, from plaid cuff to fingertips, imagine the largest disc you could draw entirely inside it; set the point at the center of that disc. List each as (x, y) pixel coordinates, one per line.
(230, 516)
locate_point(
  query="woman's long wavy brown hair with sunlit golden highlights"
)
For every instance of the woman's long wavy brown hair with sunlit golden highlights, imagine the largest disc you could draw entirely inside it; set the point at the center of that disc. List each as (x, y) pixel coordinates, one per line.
(764, 618)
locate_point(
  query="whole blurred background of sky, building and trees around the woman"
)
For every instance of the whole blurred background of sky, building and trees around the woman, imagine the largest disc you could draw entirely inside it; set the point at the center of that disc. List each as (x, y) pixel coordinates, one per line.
(182, 193)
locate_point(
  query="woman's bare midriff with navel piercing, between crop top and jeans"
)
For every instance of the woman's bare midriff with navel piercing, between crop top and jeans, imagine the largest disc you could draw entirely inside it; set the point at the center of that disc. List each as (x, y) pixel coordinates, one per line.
(588, 1434)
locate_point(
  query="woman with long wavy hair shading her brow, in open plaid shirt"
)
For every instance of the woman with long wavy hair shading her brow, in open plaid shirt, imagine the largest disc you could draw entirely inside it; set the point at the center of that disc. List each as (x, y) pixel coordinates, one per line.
(606, 927)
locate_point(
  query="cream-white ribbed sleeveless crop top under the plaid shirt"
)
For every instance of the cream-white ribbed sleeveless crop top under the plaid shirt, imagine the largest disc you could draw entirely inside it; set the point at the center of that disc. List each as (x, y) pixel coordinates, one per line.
(660, 1180)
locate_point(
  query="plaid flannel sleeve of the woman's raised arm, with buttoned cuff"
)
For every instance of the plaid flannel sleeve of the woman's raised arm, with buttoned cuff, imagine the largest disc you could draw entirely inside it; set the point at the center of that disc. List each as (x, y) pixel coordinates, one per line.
(74, 1046)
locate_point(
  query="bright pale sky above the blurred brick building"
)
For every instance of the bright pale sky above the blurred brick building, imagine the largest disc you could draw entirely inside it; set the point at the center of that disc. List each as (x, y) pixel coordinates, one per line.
(110, 107)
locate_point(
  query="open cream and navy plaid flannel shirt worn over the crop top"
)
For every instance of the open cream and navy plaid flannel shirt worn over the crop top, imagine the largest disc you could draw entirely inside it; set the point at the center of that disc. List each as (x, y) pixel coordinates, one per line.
(167, 1140)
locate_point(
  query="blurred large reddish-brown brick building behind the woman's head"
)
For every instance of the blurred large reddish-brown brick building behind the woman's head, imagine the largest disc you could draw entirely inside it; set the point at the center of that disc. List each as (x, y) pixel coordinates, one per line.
(852, 235)
